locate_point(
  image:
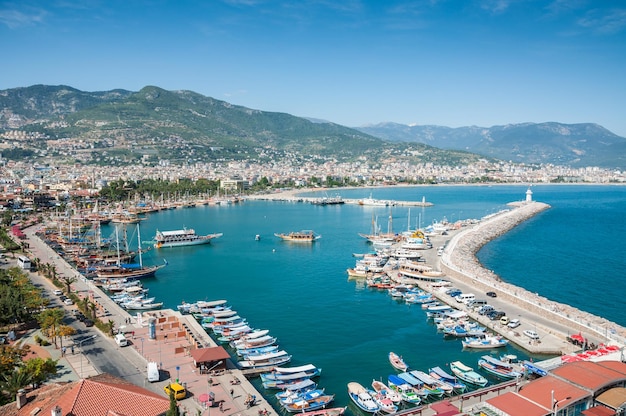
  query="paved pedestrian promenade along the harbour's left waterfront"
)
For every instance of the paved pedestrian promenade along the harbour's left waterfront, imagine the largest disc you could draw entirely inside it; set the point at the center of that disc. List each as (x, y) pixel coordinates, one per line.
(177, 335)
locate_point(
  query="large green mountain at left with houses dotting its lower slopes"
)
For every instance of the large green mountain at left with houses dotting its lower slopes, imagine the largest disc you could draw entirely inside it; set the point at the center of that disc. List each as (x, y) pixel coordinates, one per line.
(118, 127)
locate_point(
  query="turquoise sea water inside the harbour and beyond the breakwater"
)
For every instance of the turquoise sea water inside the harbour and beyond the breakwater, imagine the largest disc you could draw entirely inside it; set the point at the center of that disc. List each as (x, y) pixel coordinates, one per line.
(301, 293)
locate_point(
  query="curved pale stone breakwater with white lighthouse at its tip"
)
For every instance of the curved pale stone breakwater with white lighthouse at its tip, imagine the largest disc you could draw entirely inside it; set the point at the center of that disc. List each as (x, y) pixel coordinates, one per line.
(459, 262)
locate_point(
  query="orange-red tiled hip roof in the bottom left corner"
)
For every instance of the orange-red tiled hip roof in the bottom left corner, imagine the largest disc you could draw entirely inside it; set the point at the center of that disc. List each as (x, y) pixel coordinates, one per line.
(100, 395)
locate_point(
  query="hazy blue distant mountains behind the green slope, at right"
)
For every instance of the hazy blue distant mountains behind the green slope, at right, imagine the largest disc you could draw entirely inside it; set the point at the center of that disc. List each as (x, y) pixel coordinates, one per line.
(577, 145)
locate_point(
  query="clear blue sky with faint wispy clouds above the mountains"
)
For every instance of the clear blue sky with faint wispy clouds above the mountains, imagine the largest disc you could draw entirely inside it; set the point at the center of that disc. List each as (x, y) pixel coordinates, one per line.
(353, 62)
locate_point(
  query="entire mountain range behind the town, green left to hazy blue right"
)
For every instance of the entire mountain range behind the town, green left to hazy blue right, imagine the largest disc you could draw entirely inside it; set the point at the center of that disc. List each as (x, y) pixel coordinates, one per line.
(121, 127)
